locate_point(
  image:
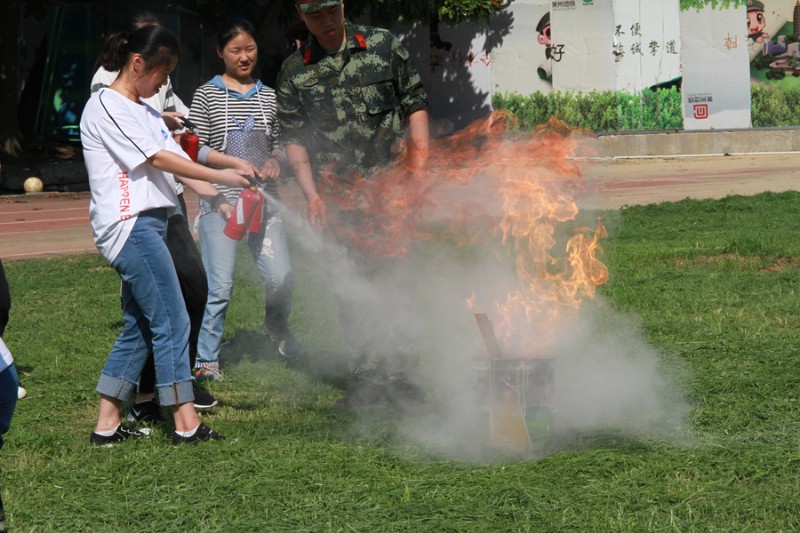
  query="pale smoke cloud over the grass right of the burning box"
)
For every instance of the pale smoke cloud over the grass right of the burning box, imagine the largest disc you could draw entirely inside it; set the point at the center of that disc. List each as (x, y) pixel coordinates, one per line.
(607, 377)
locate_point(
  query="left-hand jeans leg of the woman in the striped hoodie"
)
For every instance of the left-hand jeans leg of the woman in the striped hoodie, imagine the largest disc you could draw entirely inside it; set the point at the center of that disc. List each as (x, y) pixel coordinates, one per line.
(219, 259)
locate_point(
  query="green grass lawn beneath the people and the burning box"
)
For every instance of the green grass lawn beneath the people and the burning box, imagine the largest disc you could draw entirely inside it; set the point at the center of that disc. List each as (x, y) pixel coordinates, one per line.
(708, 289)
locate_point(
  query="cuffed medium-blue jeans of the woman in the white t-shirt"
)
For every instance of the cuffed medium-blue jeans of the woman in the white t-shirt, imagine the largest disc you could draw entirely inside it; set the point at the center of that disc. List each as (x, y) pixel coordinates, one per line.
(155, 318)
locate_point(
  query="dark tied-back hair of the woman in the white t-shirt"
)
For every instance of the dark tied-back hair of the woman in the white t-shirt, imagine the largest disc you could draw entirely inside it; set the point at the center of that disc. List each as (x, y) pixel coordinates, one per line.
(157, 45)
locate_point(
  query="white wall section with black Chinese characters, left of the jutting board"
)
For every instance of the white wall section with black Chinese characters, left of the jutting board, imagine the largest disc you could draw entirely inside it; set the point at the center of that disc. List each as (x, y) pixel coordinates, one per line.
(588, 45)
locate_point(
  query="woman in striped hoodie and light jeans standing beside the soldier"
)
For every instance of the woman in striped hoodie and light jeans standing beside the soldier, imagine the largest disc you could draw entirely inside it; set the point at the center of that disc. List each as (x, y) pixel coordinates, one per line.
(235, 114)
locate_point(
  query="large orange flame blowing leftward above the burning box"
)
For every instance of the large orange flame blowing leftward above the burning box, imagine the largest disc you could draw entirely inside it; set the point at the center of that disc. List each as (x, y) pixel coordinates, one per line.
(526, 183)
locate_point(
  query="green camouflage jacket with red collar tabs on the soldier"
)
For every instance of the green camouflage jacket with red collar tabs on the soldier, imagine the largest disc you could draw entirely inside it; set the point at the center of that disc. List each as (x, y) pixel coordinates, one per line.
(349, 109)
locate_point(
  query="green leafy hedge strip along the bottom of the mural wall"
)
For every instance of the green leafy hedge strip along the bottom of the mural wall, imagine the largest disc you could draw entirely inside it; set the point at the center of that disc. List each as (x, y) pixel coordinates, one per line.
(772, 105)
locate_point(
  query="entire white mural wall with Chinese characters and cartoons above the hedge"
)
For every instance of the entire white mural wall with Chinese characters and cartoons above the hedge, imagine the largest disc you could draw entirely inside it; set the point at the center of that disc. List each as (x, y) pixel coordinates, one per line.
(712, 53)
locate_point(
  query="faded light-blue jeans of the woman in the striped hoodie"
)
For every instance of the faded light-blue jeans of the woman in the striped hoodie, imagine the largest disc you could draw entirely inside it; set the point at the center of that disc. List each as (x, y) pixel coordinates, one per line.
(271, 254)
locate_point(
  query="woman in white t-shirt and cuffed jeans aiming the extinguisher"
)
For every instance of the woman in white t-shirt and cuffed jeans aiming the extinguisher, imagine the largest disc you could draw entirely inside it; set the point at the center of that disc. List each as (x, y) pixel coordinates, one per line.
(131, 159)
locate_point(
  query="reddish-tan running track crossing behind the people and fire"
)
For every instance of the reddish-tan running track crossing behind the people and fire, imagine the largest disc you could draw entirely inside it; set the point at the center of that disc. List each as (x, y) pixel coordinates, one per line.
(52, 225)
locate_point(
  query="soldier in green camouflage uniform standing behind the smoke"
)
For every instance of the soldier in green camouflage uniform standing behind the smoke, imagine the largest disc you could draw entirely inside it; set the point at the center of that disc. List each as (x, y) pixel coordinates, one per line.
(345, 100)
